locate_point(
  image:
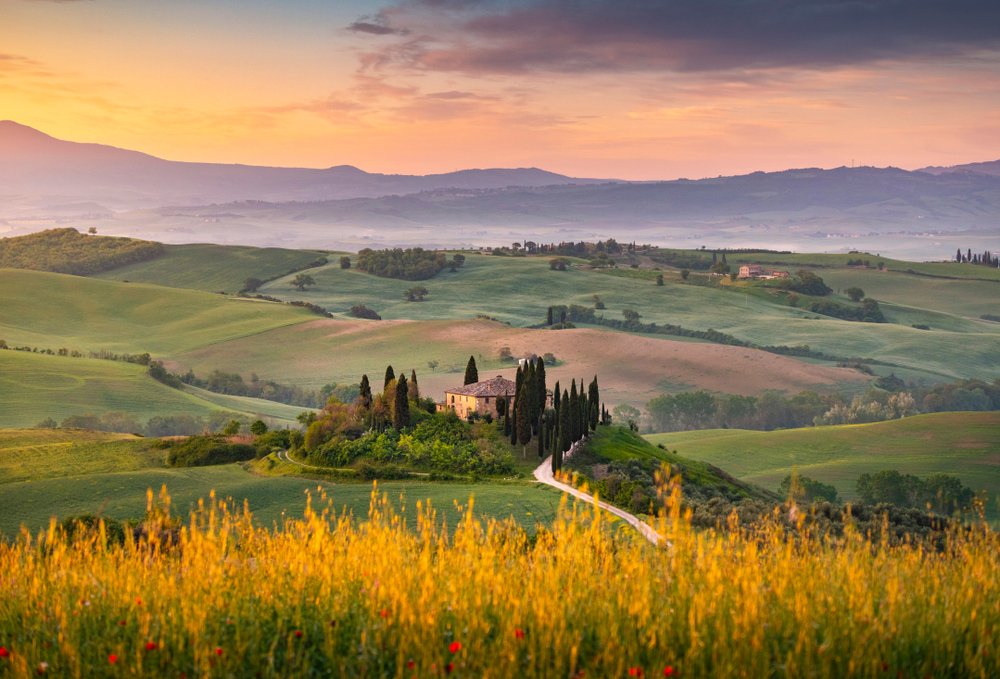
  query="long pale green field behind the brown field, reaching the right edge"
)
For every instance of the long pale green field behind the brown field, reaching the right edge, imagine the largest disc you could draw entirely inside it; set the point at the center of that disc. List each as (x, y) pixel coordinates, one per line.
(519, 290)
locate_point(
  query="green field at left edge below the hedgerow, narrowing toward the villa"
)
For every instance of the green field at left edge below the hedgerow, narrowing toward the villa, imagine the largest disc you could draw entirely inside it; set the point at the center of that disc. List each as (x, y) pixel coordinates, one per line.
(38, 386)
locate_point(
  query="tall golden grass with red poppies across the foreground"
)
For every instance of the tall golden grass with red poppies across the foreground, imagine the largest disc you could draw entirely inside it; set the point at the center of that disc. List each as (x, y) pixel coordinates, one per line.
(396, 596)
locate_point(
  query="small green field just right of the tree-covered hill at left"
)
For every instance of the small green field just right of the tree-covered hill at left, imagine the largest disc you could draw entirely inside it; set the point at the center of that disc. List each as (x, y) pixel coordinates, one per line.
(213, 268)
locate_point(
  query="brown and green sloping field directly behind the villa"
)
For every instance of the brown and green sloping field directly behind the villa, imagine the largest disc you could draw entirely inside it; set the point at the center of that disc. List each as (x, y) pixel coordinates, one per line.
(632, 368)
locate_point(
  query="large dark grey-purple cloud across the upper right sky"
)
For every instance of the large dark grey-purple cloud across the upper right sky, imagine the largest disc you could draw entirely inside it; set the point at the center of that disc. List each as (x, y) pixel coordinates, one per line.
(515, 36)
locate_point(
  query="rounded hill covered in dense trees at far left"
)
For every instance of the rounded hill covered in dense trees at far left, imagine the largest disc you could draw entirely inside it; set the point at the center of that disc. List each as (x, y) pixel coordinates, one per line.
(69, 251)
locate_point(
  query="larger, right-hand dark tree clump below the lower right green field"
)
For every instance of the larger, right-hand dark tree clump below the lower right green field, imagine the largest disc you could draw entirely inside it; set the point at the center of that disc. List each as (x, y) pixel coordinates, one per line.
(942, 493)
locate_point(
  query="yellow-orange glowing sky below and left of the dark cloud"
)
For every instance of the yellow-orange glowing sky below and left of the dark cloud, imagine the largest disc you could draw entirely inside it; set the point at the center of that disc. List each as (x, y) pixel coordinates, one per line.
(191, 83)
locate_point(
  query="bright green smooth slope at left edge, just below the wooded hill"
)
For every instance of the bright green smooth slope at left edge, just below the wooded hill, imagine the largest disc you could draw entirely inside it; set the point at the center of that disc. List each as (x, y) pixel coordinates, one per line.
(55, 310)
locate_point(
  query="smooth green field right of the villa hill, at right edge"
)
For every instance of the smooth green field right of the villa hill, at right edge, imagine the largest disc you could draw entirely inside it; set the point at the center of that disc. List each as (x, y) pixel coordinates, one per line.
(966, 445)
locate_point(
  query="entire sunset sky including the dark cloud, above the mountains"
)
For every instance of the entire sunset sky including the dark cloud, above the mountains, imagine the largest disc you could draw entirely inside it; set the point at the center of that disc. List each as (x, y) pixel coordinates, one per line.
(629, 89)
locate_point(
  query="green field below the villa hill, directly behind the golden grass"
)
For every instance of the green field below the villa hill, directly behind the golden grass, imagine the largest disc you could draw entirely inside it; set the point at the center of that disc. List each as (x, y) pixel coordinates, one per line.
(58, 472)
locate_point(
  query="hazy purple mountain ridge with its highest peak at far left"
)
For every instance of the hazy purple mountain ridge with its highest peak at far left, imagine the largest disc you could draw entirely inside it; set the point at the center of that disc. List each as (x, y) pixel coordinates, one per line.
(41, 173)
